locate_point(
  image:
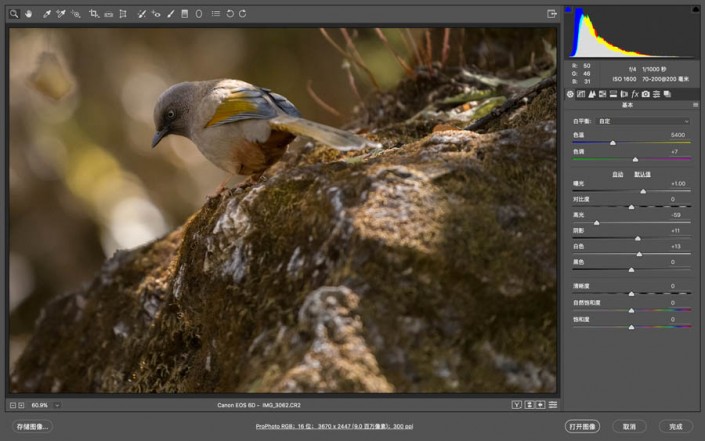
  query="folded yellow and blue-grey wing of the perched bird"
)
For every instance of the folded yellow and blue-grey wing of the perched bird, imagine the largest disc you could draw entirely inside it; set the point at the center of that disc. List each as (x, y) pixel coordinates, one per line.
(241, 102)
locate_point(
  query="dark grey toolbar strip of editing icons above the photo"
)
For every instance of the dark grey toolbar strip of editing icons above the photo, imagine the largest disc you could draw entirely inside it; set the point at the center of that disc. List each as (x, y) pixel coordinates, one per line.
(239, 14)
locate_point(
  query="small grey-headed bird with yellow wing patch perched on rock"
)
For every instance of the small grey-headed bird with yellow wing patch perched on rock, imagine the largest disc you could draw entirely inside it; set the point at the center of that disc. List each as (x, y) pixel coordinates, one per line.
(241, 128)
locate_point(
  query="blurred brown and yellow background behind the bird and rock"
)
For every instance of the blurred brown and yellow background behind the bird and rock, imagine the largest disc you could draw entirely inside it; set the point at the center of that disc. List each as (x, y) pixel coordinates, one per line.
(83, 179)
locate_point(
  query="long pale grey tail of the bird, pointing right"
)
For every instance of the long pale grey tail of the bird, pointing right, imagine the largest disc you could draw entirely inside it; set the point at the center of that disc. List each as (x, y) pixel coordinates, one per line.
(336, 138)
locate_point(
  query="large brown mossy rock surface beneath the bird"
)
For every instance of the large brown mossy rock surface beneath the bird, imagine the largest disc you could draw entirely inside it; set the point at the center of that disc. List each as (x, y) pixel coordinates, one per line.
(425, 267)
